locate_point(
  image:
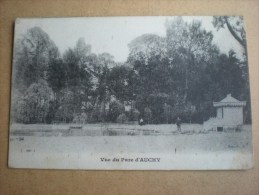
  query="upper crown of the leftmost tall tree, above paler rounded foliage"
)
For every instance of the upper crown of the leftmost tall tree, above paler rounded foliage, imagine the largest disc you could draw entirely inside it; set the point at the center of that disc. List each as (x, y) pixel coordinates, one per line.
(32, 56)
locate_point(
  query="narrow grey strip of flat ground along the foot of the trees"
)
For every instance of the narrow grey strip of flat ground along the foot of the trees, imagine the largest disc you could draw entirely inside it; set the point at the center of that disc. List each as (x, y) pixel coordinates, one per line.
(101, 129)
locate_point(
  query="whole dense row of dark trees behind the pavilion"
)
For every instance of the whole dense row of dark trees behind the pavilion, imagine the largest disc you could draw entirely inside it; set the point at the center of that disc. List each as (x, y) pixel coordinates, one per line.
(180, 74)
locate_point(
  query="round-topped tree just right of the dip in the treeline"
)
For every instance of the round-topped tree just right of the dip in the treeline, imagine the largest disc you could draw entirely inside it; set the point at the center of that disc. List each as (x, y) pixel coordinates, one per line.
(150, 68)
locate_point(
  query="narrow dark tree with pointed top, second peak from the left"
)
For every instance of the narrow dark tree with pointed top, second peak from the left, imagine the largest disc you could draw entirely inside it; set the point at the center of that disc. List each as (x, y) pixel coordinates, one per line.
(78, 79)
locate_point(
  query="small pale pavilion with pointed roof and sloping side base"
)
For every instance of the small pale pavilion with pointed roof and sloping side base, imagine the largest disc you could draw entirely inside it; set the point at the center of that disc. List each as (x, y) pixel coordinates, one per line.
(229, 114)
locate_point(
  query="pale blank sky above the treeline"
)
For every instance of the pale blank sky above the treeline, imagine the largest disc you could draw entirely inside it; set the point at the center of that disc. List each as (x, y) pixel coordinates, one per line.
(113, 34)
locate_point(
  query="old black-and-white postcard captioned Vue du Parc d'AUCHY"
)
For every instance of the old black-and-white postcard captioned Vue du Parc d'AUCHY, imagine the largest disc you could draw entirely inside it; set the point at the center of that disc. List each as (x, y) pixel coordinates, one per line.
(131, 93)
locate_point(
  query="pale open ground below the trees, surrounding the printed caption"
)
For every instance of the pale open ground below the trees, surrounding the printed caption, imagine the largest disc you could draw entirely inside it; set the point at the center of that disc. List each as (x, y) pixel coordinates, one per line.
(207, 150)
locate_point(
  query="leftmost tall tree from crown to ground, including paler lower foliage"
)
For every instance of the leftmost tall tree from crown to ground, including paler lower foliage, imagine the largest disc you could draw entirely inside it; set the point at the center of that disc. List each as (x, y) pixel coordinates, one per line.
(34, 55)
